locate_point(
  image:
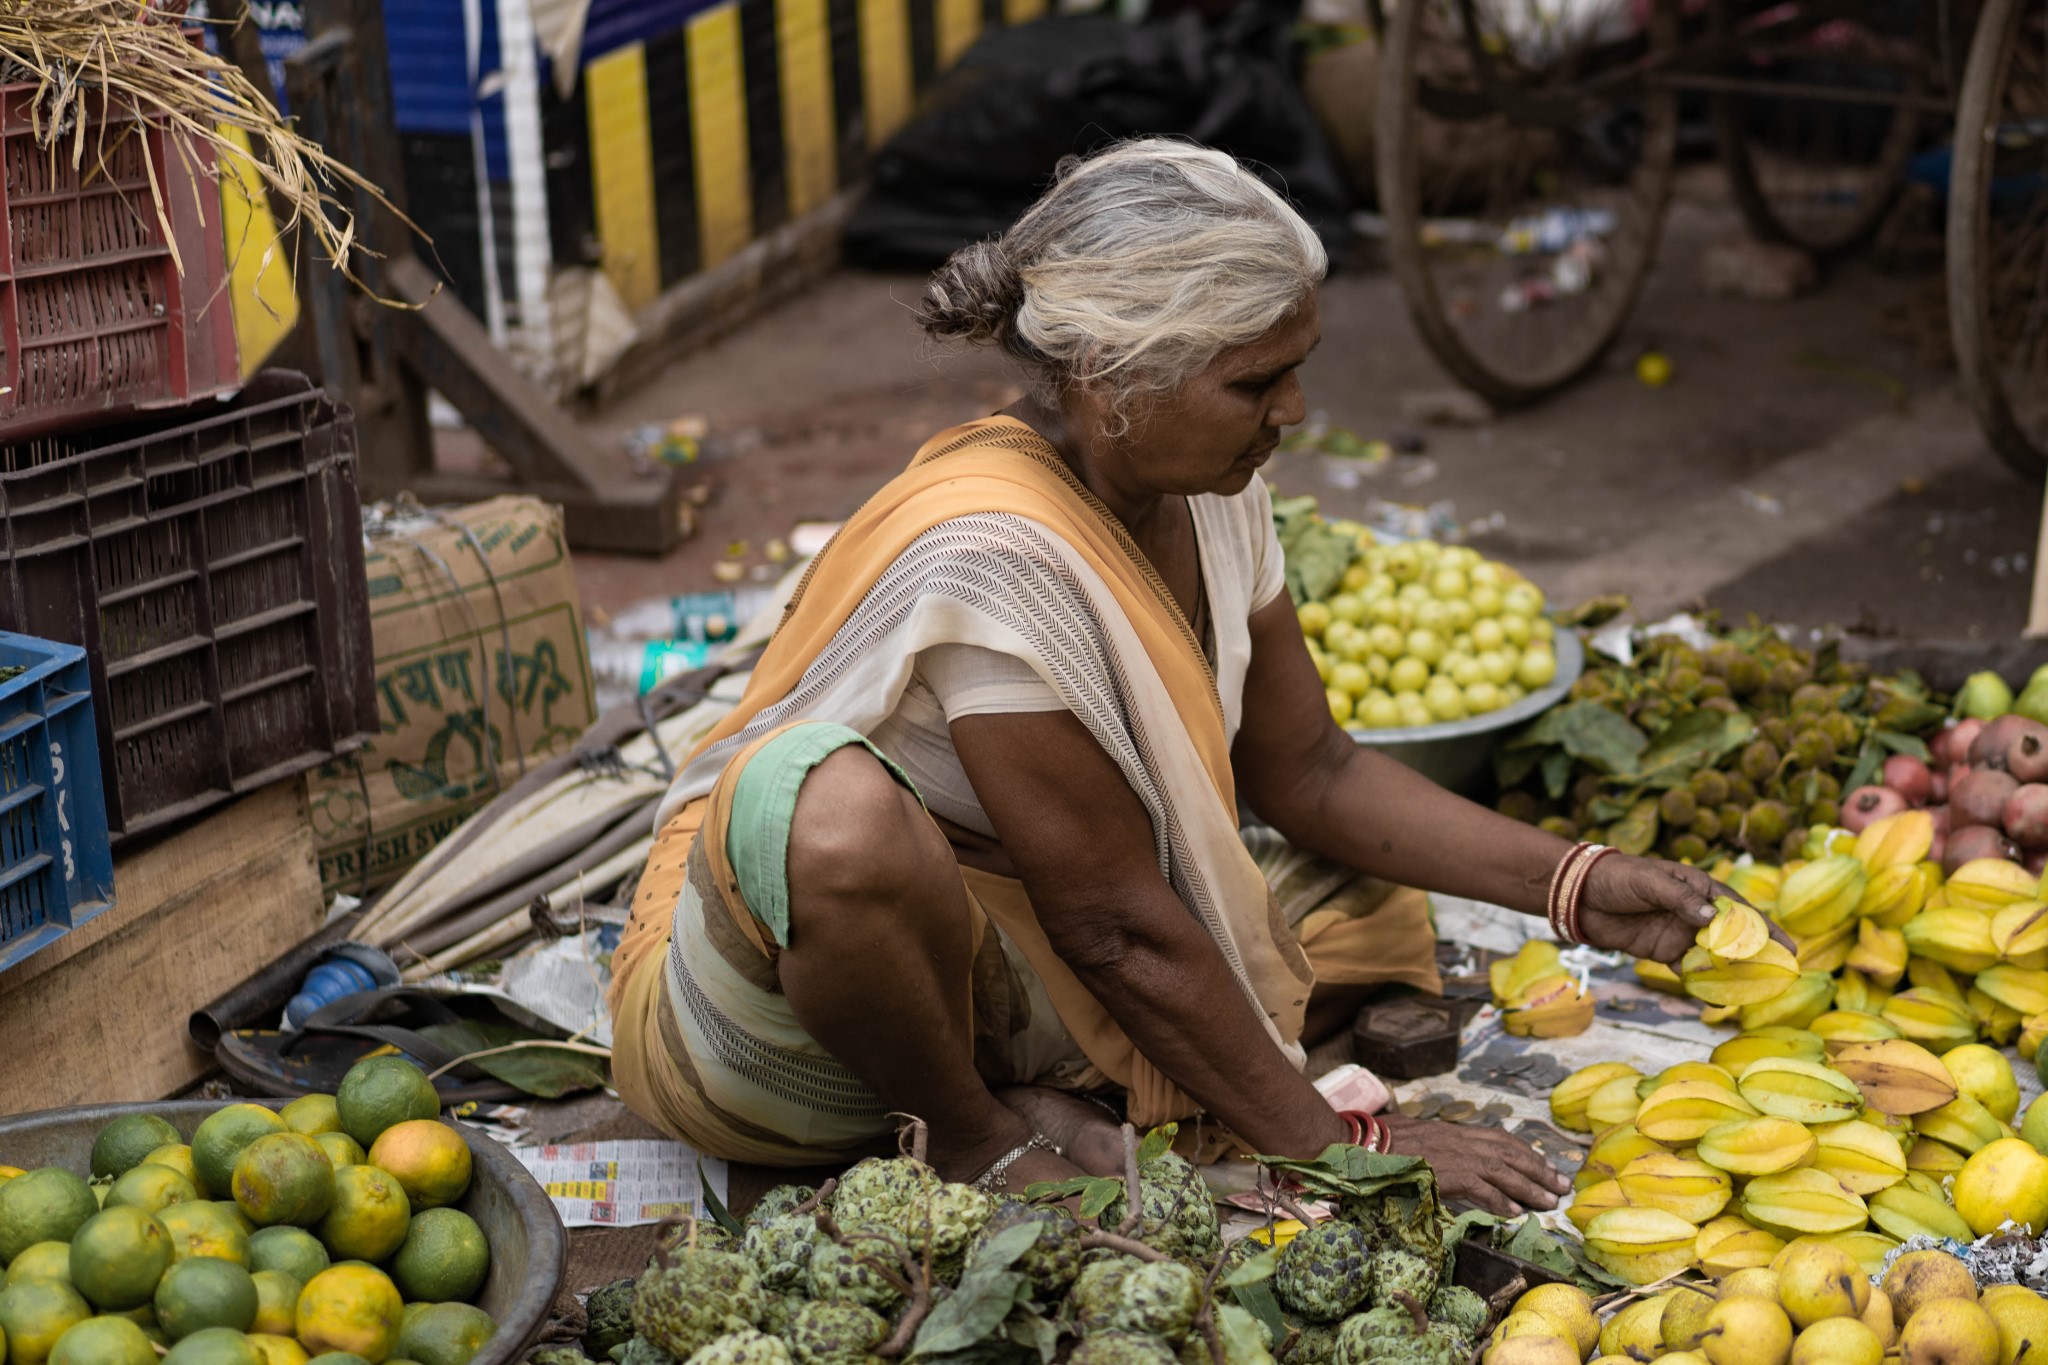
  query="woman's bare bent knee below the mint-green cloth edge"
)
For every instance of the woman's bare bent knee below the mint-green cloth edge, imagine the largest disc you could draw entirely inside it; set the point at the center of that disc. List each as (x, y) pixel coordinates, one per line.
(863, 836)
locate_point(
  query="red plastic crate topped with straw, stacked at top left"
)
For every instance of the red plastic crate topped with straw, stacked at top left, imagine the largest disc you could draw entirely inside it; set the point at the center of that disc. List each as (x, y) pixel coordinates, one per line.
(97, 318)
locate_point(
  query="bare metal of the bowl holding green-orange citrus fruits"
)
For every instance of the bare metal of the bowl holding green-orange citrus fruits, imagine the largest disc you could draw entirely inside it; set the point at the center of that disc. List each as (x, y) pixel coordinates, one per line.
(529, 1247)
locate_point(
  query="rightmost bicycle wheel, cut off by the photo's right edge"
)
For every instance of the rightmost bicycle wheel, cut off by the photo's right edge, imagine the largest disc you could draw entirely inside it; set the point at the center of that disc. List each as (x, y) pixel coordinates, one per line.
(1998, 232)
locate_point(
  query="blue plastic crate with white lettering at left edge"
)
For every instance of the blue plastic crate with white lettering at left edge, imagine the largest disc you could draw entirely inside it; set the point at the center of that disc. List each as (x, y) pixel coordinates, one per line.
(56, 858)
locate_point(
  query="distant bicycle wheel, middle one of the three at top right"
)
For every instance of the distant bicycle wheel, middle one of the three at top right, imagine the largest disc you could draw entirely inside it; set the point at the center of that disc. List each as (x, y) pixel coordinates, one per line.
(1818, 142)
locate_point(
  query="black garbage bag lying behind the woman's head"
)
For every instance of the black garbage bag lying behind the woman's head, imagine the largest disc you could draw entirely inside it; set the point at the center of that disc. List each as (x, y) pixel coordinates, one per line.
(990, 134)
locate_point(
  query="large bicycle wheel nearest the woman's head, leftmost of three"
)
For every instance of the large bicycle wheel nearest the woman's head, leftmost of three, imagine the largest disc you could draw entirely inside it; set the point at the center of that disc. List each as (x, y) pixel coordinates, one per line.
(1525, 163)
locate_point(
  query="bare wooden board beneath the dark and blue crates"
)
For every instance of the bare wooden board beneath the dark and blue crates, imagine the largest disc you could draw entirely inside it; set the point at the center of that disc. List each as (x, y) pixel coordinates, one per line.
(101, 1016)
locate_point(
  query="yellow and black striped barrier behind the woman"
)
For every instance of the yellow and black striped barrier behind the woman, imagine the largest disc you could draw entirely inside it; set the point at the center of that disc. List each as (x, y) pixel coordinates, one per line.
(683, 146)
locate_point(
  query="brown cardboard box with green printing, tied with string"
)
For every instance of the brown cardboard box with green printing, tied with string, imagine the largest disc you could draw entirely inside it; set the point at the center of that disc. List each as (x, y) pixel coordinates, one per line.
(480, 670)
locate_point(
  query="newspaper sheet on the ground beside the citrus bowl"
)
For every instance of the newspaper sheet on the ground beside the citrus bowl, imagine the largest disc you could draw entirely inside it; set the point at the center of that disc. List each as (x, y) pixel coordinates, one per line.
(624, 1184)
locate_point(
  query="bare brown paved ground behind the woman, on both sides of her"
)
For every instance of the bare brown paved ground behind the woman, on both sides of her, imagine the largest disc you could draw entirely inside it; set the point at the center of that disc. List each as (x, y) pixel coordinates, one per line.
(1805, 464)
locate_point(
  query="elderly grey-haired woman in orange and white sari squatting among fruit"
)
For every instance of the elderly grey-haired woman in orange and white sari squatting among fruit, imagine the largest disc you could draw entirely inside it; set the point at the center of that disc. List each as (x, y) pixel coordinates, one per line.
(970, 848)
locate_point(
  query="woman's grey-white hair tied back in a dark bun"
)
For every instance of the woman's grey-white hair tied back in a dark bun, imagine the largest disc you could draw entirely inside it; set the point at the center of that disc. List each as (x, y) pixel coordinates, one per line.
(1134, 273)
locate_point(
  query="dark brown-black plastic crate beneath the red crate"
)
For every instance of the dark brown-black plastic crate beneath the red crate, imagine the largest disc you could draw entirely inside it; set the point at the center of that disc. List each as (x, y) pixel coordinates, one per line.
(212, 568)
